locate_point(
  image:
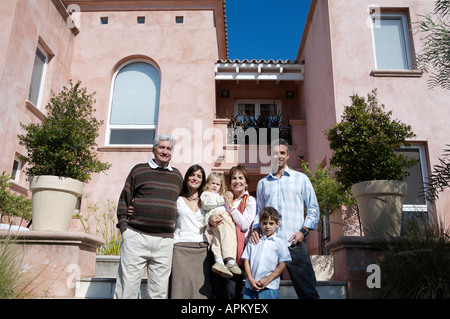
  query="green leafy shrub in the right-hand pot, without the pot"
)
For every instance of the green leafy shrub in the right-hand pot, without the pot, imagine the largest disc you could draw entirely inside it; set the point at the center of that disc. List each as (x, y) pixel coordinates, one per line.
(366, 143)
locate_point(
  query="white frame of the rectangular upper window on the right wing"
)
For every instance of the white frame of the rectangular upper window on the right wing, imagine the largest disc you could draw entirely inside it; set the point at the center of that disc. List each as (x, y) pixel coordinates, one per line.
(406, 36)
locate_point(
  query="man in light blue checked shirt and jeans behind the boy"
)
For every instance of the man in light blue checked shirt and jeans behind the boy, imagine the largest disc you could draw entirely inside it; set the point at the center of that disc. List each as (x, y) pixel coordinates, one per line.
(289, 192)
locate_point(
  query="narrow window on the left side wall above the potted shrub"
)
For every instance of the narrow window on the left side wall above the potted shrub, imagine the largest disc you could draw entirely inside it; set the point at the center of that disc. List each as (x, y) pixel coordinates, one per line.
(37, 77)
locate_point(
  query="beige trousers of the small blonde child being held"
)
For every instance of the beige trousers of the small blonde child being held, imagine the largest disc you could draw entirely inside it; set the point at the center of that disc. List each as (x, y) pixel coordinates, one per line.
(225, 243)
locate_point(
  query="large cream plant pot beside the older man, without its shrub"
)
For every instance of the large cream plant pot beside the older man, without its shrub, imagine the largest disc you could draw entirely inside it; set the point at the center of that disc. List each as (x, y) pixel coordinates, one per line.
(54, 200)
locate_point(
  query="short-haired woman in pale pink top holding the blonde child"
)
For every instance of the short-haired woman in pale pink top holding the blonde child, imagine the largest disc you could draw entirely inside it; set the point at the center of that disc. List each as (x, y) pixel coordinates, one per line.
(242, 208)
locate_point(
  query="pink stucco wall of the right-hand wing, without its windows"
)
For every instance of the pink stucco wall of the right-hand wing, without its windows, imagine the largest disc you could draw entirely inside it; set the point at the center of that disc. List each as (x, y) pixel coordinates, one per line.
(338, 51)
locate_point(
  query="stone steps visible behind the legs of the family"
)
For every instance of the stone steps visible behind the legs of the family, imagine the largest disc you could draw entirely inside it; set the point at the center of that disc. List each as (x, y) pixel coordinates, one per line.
(102, 285)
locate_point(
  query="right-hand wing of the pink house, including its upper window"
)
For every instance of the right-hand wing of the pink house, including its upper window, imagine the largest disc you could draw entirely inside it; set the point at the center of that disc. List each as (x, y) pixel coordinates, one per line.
(355, 46)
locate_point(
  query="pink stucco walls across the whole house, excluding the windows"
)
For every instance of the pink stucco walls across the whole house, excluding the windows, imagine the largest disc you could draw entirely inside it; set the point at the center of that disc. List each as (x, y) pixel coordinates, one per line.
(336, 48)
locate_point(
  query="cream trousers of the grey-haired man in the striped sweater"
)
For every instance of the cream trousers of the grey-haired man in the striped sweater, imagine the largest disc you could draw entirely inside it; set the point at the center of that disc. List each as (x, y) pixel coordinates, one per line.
(137, 251)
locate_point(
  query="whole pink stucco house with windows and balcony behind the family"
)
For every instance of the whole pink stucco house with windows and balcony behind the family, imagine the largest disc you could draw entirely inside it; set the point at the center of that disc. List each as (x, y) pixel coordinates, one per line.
(170, 58)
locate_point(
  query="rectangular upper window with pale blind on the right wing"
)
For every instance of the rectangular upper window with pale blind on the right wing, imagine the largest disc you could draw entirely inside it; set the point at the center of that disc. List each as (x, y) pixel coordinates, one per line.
(392, 42)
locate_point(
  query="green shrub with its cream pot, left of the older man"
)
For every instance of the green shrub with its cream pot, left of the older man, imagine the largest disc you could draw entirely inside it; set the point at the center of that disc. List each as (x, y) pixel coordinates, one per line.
(61, 156)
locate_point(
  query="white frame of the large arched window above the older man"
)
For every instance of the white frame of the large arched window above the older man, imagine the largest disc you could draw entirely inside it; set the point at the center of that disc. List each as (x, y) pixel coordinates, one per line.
(110, 127)
